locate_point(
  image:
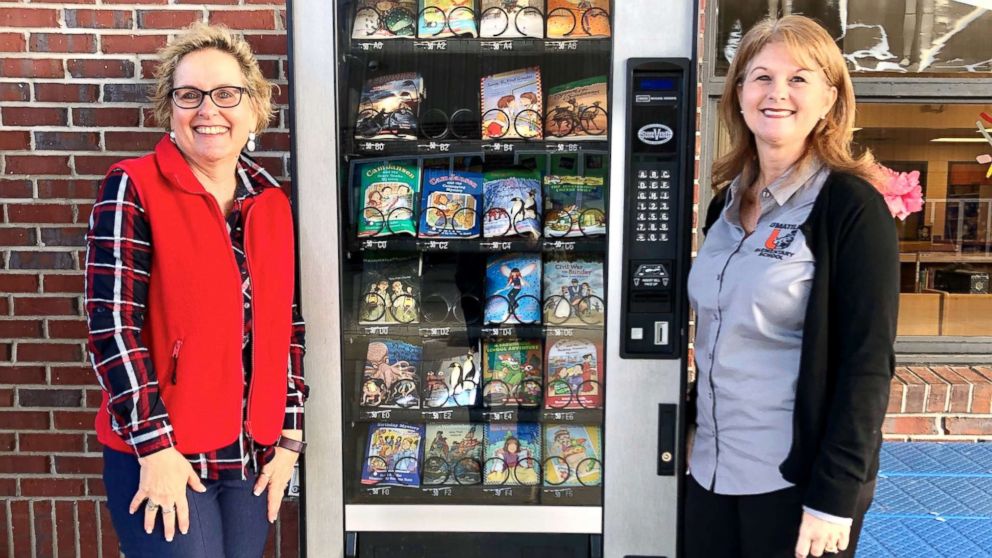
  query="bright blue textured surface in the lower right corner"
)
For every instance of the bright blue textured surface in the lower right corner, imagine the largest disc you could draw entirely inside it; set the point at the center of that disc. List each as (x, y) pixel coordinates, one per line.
(933, 500)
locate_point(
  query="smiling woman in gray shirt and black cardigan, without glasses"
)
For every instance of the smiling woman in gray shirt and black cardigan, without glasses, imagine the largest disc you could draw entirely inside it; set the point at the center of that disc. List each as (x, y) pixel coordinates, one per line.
(796, 292)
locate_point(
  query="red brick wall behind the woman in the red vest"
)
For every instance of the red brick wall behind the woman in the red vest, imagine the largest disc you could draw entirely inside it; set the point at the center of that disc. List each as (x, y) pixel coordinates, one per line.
(73, 81)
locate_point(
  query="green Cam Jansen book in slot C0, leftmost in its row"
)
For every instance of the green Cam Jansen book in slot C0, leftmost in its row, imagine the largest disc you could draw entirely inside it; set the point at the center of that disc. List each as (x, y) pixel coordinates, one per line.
(387, 194)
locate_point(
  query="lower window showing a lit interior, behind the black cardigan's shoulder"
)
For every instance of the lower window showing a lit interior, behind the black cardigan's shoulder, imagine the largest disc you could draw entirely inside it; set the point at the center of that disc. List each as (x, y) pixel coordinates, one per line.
(945, 249)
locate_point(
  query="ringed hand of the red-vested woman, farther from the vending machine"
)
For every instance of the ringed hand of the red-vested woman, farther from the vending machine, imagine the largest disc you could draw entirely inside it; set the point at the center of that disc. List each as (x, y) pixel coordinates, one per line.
(164, 476)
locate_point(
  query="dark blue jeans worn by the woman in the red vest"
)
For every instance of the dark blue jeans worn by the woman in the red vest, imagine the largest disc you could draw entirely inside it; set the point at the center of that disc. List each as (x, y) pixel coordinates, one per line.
(226, 521)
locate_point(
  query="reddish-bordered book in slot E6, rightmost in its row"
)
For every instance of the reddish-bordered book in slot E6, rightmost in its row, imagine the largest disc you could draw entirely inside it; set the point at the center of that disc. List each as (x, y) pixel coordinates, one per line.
(574, 377)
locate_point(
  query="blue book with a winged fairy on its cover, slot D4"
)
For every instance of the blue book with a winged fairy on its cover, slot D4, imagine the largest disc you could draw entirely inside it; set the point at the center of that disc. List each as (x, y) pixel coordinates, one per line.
(513, 288)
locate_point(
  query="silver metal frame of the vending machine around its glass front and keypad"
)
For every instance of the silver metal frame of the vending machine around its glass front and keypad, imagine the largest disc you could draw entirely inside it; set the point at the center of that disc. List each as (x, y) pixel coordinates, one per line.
(643, 466)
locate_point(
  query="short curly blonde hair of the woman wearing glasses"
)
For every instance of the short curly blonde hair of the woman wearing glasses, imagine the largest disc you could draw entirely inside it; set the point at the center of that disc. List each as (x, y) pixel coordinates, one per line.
(201, 36)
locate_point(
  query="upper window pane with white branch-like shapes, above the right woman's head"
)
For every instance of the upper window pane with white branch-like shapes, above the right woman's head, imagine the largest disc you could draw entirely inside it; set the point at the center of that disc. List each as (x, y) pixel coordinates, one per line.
(929, 37)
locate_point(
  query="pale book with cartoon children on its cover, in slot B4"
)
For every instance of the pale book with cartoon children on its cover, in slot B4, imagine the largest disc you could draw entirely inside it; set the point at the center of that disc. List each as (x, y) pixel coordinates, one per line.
(512, 105)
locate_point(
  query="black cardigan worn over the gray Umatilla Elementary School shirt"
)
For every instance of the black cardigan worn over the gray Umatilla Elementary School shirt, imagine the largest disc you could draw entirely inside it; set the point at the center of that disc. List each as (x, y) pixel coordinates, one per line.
(847, 357)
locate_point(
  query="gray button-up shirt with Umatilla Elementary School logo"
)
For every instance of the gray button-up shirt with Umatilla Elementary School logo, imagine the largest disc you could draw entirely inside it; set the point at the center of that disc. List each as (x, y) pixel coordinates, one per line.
(750, 293)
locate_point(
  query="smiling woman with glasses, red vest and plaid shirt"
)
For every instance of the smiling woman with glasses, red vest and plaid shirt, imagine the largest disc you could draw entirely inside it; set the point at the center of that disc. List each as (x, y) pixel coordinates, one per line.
(193, 332)
